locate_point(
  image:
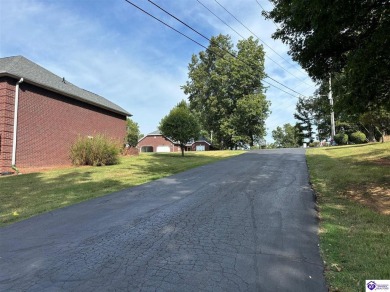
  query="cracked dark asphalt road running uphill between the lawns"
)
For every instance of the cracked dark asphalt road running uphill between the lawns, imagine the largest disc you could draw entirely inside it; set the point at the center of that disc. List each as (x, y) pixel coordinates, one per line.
(242, 224)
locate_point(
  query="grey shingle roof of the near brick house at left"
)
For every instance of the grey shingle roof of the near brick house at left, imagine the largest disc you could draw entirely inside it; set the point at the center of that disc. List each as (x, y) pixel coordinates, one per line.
(20, 67)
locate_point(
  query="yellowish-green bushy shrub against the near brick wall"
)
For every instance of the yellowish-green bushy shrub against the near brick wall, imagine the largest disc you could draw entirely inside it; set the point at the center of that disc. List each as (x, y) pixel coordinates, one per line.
(97, 151)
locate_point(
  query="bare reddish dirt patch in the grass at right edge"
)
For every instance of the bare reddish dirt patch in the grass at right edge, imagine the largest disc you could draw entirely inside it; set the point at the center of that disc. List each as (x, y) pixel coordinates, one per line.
(374, 196)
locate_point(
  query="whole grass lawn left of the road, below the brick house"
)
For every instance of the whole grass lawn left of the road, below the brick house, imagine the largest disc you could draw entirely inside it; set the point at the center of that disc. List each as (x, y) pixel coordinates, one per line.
(27, 195)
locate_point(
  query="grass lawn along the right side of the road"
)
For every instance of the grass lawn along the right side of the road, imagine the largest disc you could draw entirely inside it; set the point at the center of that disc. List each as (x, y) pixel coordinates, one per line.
(353, 192)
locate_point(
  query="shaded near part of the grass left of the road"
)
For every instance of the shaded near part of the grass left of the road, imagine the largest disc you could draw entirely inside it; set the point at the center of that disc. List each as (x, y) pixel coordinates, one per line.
(32, 194)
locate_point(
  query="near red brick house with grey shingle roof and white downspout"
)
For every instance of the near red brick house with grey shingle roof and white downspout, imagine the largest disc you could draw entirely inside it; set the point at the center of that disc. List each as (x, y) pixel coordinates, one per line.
(42, 114)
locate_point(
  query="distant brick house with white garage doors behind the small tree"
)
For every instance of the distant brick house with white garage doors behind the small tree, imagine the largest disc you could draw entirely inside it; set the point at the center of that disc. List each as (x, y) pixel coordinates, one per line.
(156, 142)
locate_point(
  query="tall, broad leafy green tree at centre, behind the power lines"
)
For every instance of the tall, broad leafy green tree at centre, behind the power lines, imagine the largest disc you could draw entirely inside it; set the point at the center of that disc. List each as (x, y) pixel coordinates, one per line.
(222, 84)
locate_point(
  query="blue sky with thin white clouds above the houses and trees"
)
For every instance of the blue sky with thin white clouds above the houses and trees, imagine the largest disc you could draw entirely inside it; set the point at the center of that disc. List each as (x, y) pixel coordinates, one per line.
(120, 53)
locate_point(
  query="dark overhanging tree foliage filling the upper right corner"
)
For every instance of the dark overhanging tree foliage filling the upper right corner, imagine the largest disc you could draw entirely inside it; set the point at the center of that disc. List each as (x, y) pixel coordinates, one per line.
(348, 37)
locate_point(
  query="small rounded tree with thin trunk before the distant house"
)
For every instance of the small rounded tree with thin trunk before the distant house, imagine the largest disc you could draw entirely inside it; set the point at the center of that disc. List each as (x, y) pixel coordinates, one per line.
(180, 125)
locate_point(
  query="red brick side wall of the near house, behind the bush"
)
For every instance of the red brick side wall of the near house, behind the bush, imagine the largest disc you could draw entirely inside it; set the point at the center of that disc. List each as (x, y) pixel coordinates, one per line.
(48, 123)
